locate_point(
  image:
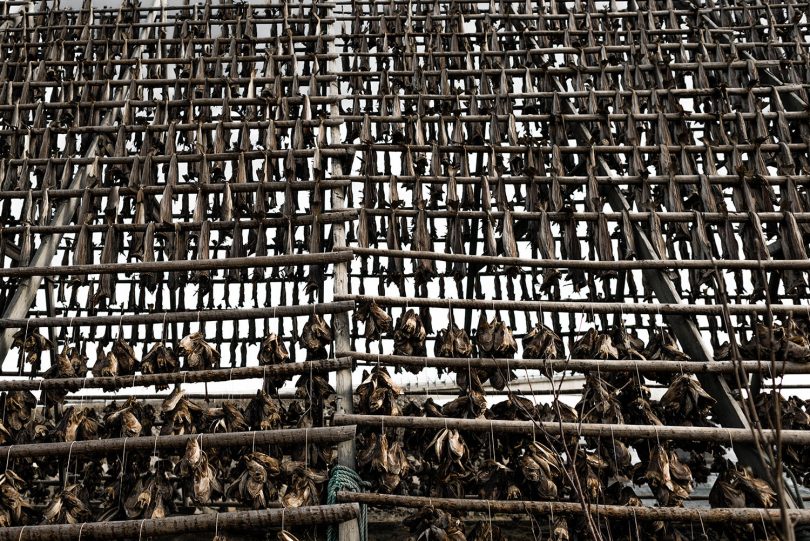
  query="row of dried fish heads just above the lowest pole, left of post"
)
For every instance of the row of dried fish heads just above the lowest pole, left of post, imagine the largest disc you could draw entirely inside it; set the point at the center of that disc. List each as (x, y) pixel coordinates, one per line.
(195, 478)
